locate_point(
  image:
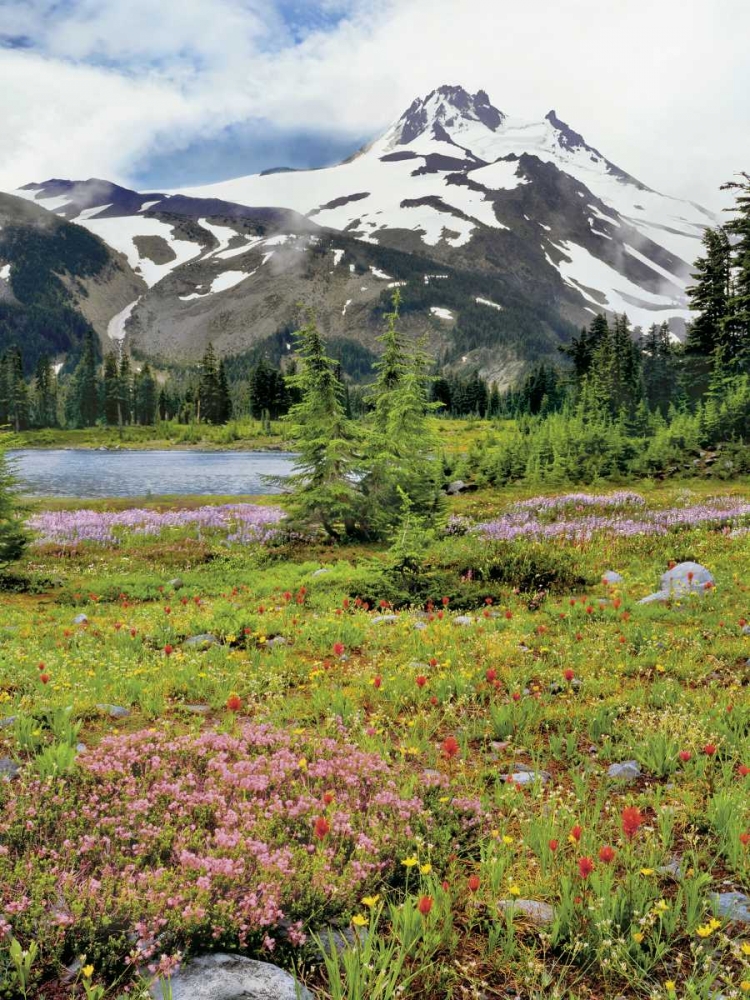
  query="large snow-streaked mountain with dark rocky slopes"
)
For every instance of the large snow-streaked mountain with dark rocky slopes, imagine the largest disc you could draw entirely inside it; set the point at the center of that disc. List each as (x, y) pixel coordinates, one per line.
(502, 233)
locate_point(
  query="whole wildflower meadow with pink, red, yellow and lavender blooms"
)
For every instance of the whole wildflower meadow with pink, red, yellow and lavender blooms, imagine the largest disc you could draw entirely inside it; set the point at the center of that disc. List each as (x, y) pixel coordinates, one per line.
(483, 771)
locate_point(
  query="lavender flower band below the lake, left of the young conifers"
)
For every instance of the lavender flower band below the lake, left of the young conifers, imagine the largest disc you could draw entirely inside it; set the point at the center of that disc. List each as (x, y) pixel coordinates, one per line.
(240, 523)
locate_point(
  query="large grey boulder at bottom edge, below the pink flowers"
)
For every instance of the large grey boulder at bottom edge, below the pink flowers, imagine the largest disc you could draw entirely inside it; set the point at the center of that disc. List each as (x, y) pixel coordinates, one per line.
(229, 977)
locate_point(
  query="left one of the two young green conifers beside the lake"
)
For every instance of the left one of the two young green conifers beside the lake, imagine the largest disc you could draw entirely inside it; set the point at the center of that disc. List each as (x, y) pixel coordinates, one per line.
(324, 491)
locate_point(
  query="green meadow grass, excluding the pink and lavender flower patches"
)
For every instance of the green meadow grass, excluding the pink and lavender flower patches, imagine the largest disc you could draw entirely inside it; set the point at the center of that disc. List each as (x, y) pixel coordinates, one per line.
(647, 683)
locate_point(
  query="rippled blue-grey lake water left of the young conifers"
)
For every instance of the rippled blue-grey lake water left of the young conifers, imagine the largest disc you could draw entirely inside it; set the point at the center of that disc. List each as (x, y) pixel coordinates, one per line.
(85, 473)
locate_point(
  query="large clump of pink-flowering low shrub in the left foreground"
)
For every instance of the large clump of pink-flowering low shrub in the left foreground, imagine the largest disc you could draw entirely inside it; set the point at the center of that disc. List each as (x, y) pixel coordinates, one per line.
(166, 843)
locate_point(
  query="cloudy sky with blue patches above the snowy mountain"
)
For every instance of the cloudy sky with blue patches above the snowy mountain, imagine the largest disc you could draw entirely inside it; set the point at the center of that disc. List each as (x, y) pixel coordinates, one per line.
(164, 93)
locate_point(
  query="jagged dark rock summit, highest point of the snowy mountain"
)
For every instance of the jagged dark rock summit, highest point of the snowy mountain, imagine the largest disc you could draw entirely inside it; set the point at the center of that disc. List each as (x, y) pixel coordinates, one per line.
(445, 108)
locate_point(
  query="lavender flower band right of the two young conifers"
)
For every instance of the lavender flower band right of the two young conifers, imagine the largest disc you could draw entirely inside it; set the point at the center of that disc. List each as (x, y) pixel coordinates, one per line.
(527, 519)
